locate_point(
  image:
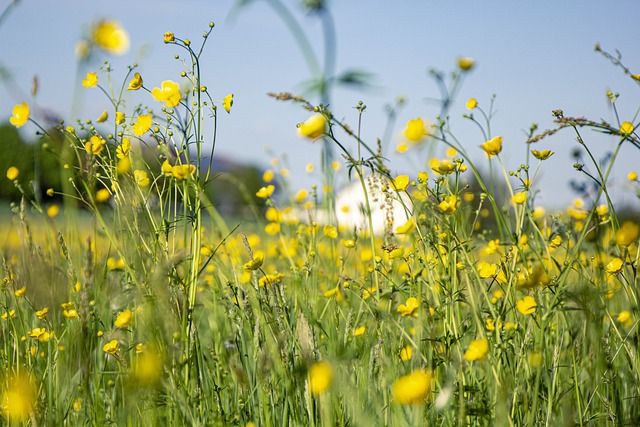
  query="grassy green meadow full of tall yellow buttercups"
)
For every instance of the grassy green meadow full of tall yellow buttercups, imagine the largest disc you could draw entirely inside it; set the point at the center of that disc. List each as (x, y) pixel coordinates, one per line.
(127, 299)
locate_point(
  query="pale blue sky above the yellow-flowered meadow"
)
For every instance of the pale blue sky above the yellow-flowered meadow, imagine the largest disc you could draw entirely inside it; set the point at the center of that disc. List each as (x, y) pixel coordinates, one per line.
(535, 56)
